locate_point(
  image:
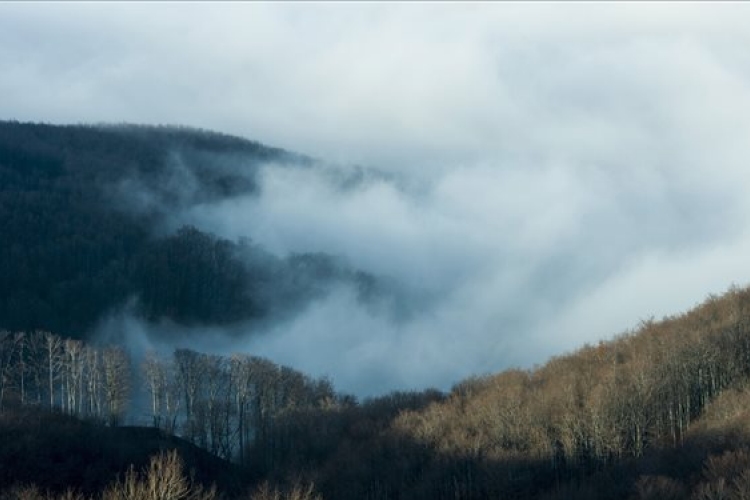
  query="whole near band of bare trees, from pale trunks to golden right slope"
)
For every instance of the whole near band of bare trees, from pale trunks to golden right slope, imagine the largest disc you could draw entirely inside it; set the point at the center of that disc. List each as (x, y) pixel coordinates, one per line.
(660, 412)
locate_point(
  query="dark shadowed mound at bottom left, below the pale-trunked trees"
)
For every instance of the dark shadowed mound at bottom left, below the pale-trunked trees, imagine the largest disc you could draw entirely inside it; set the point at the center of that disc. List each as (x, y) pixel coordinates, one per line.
(57, 452)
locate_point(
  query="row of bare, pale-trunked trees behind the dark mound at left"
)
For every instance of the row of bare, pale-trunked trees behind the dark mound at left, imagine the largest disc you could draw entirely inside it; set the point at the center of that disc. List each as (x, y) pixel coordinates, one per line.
(220, 404)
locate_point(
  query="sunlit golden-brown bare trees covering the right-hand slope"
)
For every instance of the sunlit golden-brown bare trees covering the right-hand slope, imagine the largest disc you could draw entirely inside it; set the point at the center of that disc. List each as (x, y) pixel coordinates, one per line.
(604, 404)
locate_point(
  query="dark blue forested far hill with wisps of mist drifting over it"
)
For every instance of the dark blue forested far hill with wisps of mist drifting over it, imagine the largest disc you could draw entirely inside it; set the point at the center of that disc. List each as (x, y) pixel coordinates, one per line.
(82, 218)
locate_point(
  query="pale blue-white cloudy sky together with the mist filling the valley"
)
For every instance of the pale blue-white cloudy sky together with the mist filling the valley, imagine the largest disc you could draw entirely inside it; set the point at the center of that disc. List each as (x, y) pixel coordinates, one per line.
(562, 171)
